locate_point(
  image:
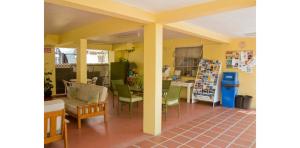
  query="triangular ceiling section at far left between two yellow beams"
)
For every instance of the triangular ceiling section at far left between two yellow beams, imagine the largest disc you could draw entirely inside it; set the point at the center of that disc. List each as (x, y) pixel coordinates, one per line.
(58, 19)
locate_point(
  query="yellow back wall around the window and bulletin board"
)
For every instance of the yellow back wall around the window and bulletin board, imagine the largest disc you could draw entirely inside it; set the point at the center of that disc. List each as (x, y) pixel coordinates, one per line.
(211, 50)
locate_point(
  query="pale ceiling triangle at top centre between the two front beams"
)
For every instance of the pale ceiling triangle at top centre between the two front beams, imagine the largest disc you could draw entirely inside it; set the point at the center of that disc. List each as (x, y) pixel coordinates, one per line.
(161, 5)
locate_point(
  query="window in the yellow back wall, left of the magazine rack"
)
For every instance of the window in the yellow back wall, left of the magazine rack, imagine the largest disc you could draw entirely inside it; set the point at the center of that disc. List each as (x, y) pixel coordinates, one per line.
(187, 60)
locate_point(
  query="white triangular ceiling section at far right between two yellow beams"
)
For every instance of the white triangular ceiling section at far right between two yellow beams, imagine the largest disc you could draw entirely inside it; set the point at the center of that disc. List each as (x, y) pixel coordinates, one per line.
(237, 23)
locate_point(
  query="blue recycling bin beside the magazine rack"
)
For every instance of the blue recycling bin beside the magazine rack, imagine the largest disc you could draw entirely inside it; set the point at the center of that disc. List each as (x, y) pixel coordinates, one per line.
(230, 85)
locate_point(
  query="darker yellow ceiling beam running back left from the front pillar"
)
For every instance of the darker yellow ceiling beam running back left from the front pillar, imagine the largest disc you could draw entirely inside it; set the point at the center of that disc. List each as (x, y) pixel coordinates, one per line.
(101, 28)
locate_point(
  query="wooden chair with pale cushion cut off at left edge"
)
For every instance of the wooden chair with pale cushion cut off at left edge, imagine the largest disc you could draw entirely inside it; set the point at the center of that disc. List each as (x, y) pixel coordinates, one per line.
(55, 127)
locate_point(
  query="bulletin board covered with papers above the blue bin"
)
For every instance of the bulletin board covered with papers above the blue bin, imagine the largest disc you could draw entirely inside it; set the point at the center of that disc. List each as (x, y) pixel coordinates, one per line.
(243, 60)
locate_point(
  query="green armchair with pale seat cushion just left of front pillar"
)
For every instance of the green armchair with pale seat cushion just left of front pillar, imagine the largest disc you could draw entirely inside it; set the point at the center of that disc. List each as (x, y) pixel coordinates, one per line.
(126, 97)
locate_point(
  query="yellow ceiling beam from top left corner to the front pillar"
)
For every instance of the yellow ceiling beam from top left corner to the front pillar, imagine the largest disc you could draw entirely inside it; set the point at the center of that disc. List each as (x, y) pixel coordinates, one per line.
(109, 8)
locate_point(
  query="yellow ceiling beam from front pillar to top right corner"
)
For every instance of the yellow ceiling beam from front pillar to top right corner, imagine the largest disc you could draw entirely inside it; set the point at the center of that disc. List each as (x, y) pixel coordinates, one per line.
(199, 10)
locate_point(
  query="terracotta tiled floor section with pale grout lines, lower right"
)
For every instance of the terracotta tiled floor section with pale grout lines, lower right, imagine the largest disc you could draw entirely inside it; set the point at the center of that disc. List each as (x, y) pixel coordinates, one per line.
(219, 129)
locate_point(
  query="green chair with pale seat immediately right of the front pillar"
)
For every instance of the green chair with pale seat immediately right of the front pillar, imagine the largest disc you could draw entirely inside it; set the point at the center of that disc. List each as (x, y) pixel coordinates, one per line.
(172, 98)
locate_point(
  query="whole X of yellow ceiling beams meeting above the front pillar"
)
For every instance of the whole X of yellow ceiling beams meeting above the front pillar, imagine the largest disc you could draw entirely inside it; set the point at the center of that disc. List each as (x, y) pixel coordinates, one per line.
(132, 15)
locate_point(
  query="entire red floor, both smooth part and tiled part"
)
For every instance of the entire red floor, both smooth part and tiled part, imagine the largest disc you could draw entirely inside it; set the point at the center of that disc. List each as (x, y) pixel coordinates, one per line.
(199, 125)
